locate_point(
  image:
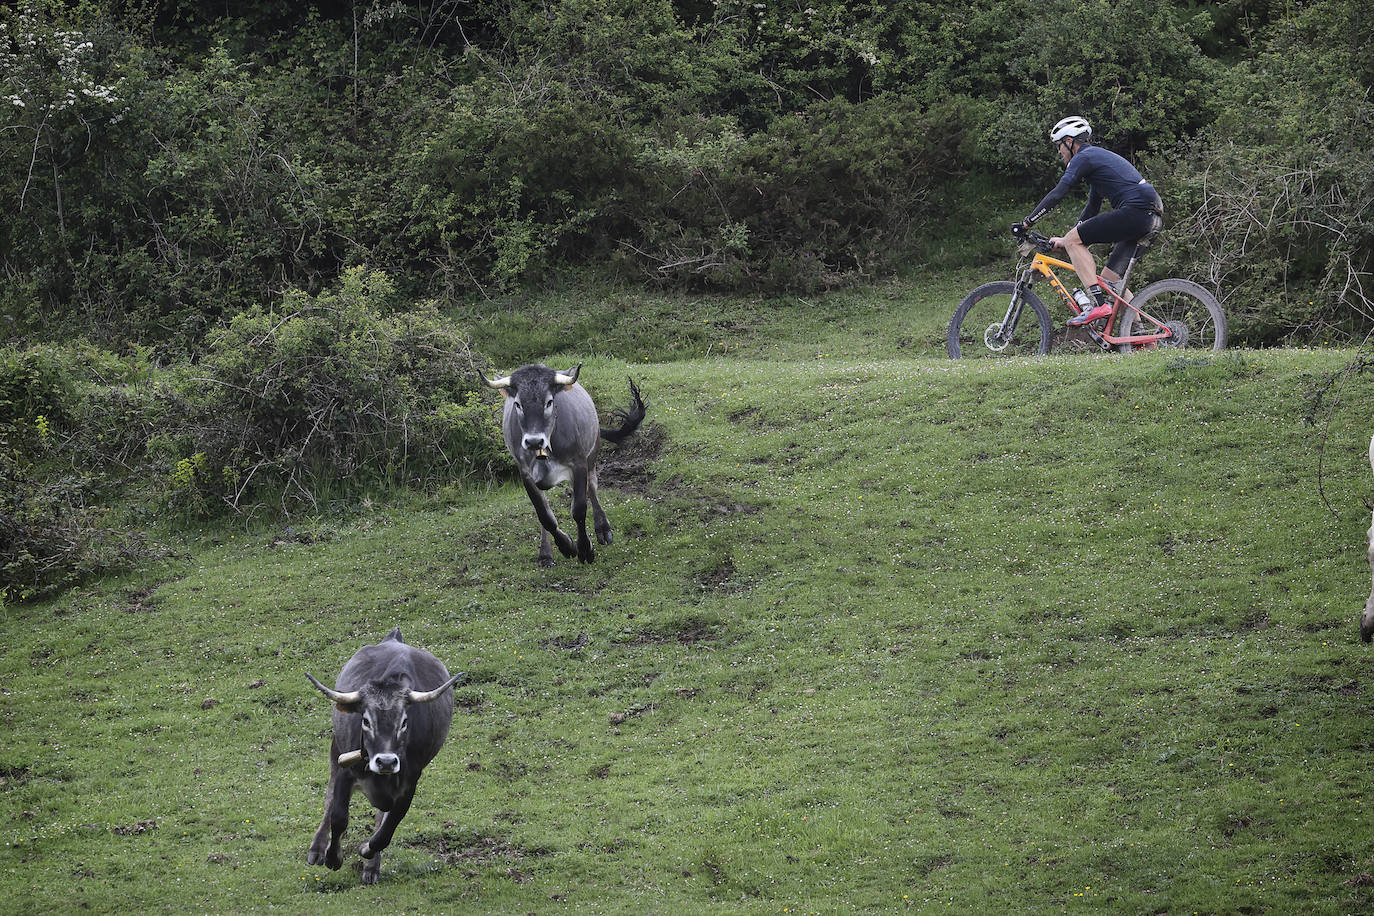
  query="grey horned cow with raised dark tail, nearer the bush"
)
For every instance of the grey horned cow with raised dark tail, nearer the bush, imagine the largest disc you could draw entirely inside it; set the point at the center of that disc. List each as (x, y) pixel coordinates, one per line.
(554, 436)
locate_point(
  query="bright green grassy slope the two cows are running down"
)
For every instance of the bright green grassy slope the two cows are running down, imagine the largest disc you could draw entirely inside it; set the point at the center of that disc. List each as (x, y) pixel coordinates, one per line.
(877, 632)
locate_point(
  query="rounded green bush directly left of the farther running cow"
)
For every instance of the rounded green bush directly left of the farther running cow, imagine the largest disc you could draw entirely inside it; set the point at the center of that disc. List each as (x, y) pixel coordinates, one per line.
(329, 395)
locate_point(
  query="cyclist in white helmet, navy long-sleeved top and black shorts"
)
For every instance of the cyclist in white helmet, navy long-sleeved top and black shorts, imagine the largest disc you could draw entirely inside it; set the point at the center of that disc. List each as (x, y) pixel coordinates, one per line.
(1137, 212)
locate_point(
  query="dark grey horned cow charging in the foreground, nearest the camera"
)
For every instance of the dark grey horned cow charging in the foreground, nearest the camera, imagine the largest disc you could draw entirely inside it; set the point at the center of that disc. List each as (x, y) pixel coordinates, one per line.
(392, 711)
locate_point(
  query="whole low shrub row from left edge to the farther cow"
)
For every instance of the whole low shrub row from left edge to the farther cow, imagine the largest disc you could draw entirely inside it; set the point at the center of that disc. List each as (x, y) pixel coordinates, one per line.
(325, 398)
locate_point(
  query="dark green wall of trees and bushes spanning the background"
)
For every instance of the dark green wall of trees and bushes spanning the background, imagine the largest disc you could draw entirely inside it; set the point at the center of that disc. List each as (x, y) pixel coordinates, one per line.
(170, 168)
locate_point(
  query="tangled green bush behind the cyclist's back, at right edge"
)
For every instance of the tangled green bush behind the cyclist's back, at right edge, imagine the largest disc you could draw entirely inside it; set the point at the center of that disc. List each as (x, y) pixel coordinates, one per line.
(1274, 205)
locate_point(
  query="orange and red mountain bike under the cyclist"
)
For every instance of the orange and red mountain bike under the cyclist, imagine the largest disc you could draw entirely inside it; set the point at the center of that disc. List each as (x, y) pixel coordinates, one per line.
(1006, 318)
